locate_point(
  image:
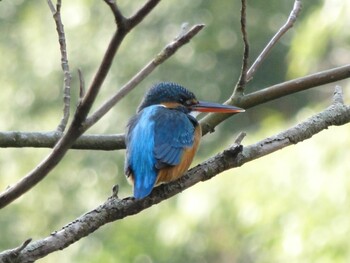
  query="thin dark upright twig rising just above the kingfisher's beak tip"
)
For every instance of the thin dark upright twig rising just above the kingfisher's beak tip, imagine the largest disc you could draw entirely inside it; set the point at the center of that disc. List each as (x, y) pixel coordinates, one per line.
(239, 89)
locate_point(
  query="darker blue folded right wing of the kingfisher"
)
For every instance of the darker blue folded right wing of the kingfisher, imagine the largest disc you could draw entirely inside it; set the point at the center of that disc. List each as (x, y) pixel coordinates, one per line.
(174, 131)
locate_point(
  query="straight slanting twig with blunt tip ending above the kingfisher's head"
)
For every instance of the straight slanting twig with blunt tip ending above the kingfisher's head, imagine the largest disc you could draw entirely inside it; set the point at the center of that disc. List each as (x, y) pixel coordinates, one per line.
(167, 52)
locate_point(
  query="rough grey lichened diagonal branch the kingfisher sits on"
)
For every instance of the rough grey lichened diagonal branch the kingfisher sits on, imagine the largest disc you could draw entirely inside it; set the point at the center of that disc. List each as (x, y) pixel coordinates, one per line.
(115, 209)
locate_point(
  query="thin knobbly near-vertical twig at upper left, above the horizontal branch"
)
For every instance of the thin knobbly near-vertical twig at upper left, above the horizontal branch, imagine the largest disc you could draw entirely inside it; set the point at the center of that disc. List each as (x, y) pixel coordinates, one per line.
(64, 63)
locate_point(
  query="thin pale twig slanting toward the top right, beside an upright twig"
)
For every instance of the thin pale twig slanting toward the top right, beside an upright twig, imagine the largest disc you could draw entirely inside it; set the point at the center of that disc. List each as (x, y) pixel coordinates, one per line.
(289, 24)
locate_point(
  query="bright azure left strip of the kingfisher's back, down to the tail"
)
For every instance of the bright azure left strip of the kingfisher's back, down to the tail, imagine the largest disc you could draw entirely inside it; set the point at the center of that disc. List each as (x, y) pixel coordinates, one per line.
(140, 161)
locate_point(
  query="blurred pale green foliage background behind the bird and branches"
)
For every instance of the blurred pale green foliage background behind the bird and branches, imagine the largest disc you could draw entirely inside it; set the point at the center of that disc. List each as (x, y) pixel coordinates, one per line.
(291, 206)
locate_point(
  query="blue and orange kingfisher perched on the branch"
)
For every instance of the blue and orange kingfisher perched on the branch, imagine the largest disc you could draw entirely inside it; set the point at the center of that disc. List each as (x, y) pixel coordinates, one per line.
(163, 137)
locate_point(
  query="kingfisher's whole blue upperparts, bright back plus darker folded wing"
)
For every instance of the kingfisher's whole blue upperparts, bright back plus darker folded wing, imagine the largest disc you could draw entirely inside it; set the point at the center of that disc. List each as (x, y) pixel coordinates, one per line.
(156, 138)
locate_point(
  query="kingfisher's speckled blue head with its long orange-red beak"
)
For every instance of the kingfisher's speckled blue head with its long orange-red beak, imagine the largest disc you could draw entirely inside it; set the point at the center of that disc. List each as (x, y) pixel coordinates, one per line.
(173, 95)
